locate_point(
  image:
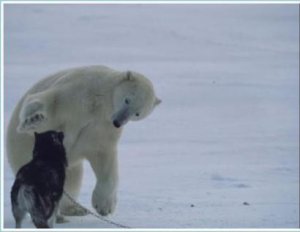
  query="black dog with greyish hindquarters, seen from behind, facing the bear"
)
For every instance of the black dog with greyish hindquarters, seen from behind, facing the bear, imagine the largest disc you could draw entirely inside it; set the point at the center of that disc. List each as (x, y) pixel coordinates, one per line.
(39, 184)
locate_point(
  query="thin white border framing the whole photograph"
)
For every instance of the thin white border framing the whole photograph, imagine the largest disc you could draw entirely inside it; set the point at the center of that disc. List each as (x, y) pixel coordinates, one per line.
(3, 3)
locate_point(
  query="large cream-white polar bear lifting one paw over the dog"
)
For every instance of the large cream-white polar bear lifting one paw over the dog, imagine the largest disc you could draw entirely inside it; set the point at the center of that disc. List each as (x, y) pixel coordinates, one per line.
(90, 105)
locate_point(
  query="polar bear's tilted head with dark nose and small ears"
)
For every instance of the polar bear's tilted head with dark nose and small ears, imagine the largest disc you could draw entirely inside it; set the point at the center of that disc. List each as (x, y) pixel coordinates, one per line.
(133, 99)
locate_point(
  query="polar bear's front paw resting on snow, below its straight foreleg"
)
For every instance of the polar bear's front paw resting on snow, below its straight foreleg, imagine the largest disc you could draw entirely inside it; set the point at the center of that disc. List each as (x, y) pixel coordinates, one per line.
(104, 205)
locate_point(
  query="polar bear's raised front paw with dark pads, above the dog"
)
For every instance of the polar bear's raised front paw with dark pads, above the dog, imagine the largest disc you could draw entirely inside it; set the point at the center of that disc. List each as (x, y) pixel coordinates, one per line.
(31, 117)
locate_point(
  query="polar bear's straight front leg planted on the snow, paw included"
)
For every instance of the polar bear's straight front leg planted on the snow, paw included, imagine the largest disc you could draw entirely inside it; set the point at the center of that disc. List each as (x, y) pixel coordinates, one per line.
(104, 197)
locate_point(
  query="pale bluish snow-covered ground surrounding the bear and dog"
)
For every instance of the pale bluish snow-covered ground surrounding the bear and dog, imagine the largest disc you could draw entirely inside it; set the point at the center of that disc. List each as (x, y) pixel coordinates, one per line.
(222, 150)
